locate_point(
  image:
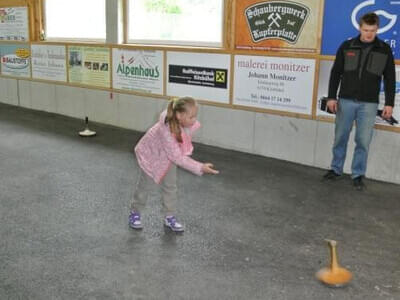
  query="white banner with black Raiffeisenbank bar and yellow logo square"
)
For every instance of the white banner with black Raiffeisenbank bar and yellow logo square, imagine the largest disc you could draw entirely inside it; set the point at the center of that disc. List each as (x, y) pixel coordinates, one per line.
(200, 75)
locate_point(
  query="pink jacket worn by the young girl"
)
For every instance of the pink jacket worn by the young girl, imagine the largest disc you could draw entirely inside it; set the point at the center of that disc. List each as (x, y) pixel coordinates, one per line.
(158, 149)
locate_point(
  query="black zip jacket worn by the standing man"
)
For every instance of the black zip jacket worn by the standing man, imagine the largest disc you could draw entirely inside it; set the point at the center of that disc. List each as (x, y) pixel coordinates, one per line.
(361, 81)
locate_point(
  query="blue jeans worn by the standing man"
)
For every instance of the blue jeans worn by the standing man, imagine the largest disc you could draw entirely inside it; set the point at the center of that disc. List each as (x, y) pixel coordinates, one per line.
(364, 114)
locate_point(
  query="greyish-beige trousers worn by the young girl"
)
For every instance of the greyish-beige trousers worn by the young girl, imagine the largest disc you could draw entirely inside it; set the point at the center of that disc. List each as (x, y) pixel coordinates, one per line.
(168, 187)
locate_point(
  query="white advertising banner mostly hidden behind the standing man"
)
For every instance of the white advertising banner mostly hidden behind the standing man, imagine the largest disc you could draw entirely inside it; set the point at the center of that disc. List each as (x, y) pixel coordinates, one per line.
(323, 85)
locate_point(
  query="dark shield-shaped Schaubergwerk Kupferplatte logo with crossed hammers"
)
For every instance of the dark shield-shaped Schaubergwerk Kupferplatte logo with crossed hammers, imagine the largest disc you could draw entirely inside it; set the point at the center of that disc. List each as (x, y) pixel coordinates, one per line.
(282, 20)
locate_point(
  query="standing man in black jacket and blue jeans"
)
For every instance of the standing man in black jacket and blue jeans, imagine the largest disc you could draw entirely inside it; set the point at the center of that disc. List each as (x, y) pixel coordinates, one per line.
(359, 67)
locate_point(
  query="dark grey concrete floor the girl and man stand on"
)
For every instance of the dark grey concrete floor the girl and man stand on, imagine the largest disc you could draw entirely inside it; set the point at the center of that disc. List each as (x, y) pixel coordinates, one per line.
(256, 231)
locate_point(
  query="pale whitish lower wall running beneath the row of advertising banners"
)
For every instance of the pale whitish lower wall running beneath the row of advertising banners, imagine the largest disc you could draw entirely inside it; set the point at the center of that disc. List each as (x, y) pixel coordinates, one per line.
(301, 141)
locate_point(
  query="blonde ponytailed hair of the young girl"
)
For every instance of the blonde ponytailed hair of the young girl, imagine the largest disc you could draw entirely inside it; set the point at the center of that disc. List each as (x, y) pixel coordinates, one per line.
(174, 106)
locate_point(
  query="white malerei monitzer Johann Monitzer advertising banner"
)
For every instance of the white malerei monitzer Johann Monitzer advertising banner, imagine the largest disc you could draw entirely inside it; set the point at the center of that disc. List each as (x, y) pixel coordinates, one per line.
(277, 83)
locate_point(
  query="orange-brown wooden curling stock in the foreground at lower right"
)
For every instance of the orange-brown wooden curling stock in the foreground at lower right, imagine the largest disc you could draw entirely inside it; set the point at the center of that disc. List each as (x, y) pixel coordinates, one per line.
(334, 276)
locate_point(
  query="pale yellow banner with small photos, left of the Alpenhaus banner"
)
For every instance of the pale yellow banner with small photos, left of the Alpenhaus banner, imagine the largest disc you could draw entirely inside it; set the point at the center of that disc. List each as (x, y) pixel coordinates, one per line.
(89, 65)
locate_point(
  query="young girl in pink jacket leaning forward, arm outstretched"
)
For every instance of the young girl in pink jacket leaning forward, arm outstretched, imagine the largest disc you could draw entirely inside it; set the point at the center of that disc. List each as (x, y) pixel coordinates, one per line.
(164, 146)
